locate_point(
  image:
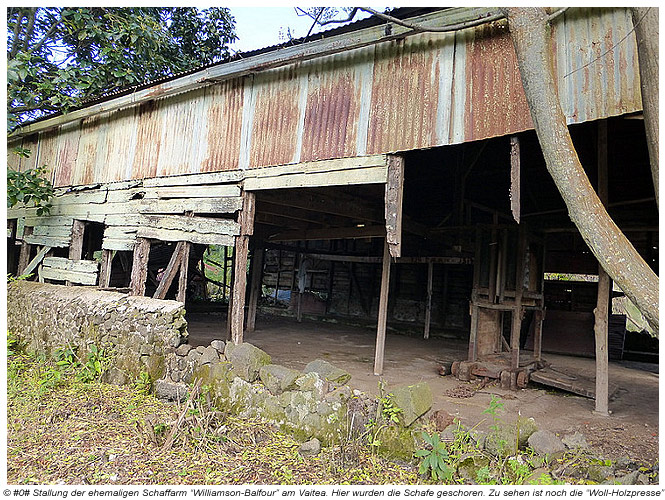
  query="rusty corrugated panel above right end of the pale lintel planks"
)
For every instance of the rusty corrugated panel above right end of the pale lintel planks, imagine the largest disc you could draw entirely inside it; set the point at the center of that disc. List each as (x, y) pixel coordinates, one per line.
(404, 94)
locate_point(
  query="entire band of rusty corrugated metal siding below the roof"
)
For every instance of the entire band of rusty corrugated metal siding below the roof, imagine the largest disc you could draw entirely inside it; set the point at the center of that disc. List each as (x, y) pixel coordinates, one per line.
(422, 91)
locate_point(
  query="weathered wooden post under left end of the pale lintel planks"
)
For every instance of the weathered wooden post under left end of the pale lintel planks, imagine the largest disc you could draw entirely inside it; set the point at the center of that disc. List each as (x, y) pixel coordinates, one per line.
(246, 220)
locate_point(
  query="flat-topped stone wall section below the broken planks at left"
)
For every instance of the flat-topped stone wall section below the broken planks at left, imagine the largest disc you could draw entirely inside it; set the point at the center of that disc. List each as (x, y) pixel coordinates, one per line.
(137, 333)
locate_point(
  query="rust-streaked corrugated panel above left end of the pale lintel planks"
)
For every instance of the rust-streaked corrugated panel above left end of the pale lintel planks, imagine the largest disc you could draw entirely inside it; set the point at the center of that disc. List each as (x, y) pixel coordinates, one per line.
(275, 117)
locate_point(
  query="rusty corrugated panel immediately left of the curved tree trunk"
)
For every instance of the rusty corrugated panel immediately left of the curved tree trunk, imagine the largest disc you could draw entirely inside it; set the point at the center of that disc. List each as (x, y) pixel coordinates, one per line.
(496, 104)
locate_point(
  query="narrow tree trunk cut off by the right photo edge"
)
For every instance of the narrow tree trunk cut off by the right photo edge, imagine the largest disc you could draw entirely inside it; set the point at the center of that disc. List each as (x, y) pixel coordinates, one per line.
(645, 20)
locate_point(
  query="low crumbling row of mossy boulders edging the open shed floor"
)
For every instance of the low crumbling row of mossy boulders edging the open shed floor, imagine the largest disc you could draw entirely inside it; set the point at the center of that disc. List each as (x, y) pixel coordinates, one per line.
(315, 403)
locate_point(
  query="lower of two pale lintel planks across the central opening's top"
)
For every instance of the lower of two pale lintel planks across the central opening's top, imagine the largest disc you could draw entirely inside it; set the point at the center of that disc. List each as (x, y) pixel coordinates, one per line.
(372, 175)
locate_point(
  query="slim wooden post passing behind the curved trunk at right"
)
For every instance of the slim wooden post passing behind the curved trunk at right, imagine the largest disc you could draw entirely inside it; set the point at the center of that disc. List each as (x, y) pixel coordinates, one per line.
(601, 312)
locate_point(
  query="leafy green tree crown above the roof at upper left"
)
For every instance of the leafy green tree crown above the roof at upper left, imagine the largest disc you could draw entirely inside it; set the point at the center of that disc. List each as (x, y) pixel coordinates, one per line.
(60, 57)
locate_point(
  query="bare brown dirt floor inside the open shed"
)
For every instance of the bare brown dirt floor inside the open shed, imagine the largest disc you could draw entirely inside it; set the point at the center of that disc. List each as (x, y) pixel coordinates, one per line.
(630, 431)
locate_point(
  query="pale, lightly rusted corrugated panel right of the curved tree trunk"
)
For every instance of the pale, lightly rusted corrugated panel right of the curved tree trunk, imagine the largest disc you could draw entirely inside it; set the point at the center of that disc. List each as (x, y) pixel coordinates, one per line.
(597, 67)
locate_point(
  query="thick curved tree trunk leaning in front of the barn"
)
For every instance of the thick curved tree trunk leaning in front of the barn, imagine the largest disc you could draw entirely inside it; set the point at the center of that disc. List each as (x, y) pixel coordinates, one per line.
(530, 33)
